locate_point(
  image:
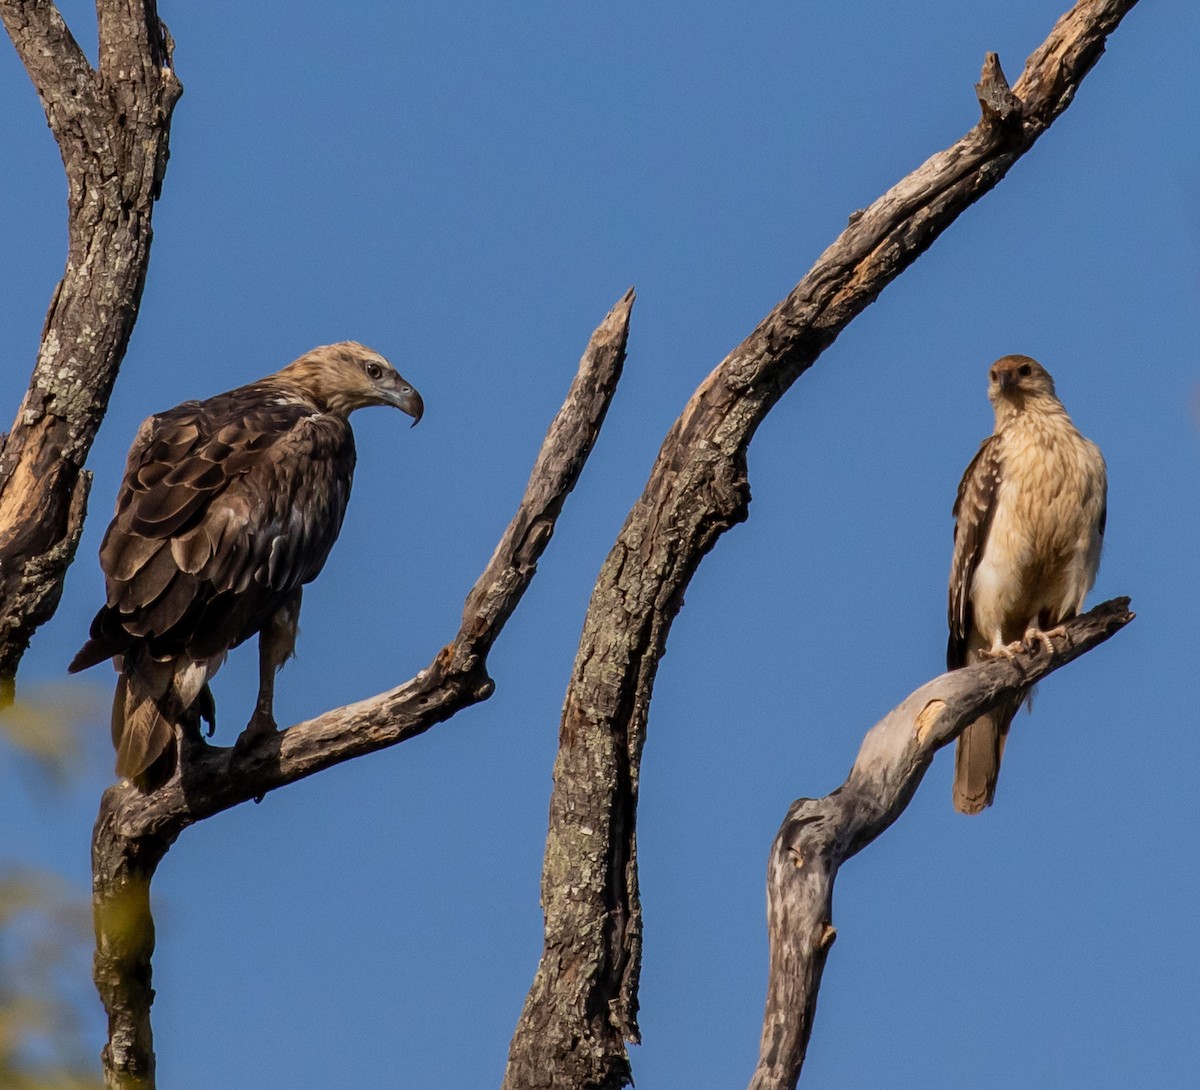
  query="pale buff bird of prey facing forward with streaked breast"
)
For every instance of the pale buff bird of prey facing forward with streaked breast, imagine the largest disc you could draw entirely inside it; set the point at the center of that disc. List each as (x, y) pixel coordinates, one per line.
(1029, 526)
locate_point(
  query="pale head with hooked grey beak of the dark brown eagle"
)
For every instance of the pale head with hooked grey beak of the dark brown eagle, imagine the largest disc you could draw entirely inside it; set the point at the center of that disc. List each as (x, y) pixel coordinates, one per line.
(350, 376)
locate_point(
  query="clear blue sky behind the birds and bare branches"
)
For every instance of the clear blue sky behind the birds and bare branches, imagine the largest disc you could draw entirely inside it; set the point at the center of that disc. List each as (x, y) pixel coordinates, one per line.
(469, 189)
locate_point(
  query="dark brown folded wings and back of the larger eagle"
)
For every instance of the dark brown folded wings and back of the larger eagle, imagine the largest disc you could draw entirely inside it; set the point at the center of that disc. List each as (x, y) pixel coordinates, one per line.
(237, 498)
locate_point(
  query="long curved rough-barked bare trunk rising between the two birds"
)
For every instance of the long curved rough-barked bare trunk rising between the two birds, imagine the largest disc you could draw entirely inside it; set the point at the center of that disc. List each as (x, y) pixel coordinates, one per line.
(583, 1007)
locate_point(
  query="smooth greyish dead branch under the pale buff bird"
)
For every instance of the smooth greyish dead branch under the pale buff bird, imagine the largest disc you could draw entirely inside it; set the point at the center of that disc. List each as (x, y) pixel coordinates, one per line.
(820, 835)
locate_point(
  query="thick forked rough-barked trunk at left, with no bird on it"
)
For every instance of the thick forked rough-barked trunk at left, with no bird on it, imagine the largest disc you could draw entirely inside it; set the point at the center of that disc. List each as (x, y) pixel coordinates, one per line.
(112, 125)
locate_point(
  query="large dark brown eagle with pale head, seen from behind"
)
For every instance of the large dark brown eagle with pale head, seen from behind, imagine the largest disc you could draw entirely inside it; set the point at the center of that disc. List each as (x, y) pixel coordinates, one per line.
(229, 507)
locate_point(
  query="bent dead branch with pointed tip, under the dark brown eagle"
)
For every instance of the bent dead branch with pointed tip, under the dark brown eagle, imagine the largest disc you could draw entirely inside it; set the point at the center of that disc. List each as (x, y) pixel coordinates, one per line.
(134, 831)
